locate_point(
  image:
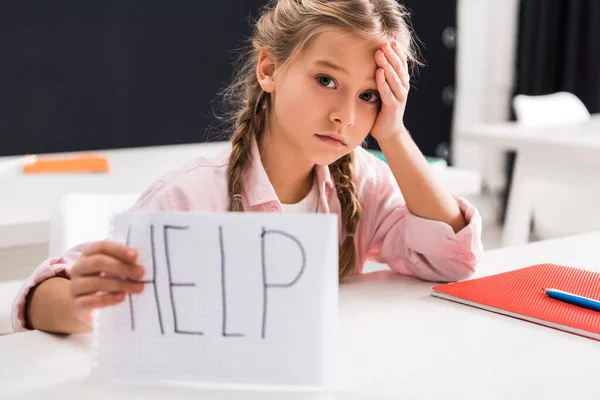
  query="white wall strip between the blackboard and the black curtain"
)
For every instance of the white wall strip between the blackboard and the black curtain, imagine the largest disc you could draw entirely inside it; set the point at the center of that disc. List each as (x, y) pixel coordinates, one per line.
(486, 59)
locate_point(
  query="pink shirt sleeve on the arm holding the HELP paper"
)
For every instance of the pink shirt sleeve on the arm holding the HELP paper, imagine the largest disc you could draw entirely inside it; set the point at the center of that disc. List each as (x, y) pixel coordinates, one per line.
(155, 198)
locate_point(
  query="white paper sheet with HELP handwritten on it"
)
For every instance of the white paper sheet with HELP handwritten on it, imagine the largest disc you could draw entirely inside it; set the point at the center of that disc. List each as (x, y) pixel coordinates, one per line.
(247, 298)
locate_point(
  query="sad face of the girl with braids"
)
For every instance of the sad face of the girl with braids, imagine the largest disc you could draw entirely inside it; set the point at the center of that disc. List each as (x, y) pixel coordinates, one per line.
(325, 101)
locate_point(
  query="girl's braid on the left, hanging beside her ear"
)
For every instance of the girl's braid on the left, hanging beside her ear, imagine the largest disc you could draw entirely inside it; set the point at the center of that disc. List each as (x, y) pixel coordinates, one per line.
(249, 123)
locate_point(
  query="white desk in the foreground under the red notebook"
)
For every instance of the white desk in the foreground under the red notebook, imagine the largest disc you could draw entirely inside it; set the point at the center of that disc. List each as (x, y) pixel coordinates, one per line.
(396, 342)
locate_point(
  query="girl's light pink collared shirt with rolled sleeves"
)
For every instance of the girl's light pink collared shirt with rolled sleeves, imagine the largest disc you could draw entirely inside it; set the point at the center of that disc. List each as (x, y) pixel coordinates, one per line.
(387, 231)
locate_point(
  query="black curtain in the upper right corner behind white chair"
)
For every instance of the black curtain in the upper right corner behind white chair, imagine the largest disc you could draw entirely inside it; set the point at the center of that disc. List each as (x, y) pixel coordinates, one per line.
(559, 50)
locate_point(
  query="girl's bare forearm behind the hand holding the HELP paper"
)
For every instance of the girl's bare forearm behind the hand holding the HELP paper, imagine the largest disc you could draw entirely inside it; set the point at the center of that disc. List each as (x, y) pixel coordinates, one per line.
(50, 308)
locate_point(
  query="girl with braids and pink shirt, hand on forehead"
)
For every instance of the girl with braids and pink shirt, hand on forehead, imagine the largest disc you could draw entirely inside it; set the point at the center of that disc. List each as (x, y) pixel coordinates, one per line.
(319, 76)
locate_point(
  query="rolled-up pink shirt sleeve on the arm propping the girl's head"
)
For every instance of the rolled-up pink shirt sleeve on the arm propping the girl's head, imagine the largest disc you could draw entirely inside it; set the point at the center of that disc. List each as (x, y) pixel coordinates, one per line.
(417, 246)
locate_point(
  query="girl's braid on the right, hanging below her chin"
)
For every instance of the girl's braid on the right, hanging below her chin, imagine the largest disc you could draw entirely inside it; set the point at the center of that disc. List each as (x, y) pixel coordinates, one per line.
(341, 170)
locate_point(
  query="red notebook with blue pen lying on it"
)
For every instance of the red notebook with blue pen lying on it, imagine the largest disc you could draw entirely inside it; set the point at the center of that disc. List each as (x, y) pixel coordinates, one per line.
(520, 294)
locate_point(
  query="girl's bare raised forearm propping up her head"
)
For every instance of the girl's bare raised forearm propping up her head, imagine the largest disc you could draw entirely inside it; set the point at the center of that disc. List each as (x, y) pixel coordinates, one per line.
(424, 194)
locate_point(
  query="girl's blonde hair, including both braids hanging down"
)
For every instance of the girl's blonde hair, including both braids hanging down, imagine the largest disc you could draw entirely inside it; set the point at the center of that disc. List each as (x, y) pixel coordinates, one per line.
(285, 27)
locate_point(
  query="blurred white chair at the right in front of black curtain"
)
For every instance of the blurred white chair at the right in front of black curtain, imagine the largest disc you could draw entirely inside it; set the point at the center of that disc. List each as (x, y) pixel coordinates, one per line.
(559, 209)
